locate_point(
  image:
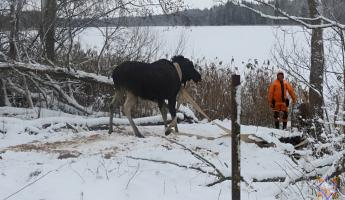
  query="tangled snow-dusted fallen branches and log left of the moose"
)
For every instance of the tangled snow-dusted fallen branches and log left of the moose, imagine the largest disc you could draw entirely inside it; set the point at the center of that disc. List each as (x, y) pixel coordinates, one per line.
(36, 85)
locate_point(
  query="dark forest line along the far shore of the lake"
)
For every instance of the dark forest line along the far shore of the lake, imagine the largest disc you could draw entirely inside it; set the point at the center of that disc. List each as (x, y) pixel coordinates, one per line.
(224, 14)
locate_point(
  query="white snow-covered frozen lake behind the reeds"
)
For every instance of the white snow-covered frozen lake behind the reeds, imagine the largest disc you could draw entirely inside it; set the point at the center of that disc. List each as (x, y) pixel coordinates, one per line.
(243, 44)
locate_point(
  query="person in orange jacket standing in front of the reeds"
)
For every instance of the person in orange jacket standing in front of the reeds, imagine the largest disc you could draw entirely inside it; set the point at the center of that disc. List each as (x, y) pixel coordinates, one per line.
(278, 100)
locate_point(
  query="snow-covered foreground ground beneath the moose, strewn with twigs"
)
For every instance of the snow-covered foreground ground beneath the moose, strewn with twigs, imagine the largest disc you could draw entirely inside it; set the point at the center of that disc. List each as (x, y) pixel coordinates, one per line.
(54, 162)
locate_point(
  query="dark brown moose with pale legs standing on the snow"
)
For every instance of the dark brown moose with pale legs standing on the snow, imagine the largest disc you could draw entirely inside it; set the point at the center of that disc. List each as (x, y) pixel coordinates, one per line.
(158, 81)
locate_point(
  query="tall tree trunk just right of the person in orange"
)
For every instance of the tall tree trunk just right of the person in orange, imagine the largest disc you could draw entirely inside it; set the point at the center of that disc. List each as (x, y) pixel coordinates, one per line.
(317, 67)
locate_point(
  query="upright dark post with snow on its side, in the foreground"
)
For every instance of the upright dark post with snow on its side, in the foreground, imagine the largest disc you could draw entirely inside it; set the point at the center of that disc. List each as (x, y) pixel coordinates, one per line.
(235, 136)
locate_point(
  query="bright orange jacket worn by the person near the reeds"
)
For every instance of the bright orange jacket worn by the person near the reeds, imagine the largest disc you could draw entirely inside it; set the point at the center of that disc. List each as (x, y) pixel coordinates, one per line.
(275, 94)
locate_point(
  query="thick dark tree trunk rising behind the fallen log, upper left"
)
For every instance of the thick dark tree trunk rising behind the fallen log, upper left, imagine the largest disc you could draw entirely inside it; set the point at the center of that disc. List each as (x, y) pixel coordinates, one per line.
(49, 8)
